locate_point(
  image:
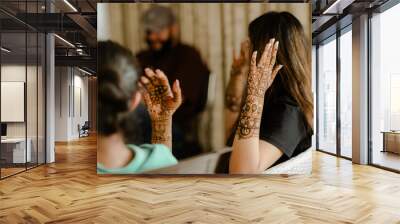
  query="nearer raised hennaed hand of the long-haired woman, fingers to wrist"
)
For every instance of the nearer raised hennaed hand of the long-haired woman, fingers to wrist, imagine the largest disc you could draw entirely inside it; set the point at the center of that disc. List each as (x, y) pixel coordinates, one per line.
(262, 75)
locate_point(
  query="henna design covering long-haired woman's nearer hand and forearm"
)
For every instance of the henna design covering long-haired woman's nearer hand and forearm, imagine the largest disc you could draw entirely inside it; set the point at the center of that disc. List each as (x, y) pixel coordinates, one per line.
(259, 80)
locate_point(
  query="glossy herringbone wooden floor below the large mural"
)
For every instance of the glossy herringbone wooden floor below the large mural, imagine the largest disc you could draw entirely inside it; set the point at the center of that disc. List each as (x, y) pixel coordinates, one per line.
(69, 191)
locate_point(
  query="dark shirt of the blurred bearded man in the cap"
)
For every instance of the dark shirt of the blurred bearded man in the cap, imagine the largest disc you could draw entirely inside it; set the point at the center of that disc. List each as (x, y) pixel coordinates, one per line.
(184, 63)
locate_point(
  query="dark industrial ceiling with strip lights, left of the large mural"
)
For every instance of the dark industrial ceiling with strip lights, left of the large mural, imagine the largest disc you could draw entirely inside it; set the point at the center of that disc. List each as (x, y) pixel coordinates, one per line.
(74, 22)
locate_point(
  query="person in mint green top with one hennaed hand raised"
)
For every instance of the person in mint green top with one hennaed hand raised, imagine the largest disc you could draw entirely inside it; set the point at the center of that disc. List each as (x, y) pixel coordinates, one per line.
(119, 93)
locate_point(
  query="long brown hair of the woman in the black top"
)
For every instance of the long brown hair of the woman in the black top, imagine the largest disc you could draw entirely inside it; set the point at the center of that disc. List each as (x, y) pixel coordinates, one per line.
(294, 54)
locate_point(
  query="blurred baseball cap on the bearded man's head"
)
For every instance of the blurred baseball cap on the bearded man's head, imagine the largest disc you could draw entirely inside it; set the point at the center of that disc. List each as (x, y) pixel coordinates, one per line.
(158, 17)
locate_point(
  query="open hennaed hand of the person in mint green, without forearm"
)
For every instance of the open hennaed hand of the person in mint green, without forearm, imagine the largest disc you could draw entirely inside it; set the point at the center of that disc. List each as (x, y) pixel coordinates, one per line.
(160, 99)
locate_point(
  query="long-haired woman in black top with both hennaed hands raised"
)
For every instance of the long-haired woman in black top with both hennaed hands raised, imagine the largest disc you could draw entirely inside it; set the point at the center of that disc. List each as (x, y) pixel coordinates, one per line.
(269, 104)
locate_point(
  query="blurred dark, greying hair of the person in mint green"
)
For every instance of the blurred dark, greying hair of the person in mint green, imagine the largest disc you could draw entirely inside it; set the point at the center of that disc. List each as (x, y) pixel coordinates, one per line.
(118, 72)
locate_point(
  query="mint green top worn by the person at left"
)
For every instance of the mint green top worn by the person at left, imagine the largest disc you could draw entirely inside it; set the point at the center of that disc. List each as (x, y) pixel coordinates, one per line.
(147, 157)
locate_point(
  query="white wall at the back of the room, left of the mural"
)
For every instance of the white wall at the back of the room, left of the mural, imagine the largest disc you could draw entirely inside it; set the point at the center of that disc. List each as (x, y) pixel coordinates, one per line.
(71, 94)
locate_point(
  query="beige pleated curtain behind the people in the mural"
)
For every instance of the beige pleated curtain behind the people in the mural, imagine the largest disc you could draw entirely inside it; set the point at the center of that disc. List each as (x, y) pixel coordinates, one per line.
(215, 29)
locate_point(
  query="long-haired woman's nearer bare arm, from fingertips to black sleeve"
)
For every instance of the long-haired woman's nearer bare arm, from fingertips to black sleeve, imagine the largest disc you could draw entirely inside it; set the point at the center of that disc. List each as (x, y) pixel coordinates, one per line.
(249, 154)
